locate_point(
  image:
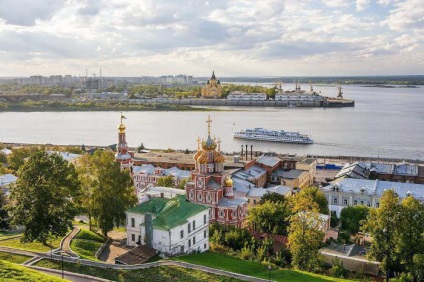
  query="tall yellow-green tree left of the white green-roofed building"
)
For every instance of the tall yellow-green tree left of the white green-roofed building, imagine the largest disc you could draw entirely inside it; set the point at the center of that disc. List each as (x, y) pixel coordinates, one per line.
(108, 190)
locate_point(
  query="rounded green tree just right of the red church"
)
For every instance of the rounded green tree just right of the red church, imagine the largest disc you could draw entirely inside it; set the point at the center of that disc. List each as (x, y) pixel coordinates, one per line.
(270, 217)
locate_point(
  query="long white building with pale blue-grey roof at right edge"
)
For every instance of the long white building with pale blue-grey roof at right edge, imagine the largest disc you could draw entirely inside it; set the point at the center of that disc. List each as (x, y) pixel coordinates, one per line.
(352, 192)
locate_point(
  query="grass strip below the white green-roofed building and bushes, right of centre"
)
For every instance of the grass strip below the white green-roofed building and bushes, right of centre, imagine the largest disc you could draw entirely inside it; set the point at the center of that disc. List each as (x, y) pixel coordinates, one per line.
(220, 261)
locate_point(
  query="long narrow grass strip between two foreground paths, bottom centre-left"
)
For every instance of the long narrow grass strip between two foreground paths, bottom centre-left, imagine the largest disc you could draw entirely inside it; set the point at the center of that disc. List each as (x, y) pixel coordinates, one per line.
(157, 274)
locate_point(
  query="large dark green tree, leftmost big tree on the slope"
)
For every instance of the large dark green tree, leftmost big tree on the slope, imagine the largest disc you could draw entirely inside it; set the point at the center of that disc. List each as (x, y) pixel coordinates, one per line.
(43, 197)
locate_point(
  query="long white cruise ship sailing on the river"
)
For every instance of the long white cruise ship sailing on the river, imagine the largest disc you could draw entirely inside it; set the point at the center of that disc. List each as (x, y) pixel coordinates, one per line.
(262, 134)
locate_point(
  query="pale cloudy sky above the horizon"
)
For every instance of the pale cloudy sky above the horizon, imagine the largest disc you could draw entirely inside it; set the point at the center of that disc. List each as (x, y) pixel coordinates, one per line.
(232, 37)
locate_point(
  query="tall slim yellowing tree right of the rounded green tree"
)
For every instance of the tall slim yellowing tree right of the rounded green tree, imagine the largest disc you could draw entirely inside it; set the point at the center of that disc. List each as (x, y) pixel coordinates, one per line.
(305, 235)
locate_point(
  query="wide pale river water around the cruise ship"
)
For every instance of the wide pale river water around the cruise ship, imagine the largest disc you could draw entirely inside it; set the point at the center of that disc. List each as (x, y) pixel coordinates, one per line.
(385, 122)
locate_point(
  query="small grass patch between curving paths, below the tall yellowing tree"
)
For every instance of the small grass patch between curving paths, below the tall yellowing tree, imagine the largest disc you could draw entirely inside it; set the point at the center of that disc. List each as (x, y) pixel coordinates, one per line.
(86, 244)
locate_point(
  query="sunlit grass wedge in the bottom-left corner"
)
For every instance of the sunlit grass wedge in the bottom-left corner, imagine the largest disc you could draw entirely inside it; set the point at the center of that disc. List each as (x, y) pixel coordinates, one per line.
(13, 272)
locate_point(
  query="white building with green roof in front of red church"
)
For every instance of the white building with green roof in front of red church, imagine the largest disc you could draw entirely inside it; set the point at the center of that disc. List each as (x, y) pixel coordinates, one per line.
(170, 226)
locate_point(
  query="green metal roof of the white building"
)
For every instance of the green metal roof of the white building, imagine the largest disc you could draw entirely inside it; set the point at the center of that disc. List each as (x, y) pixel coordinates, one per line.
(169, 213)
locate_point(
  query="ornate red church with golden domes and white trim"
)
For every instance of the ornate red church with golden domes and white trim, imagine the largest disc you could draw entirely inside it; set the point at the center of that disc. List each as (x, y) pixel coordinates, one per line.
(213, 187)
